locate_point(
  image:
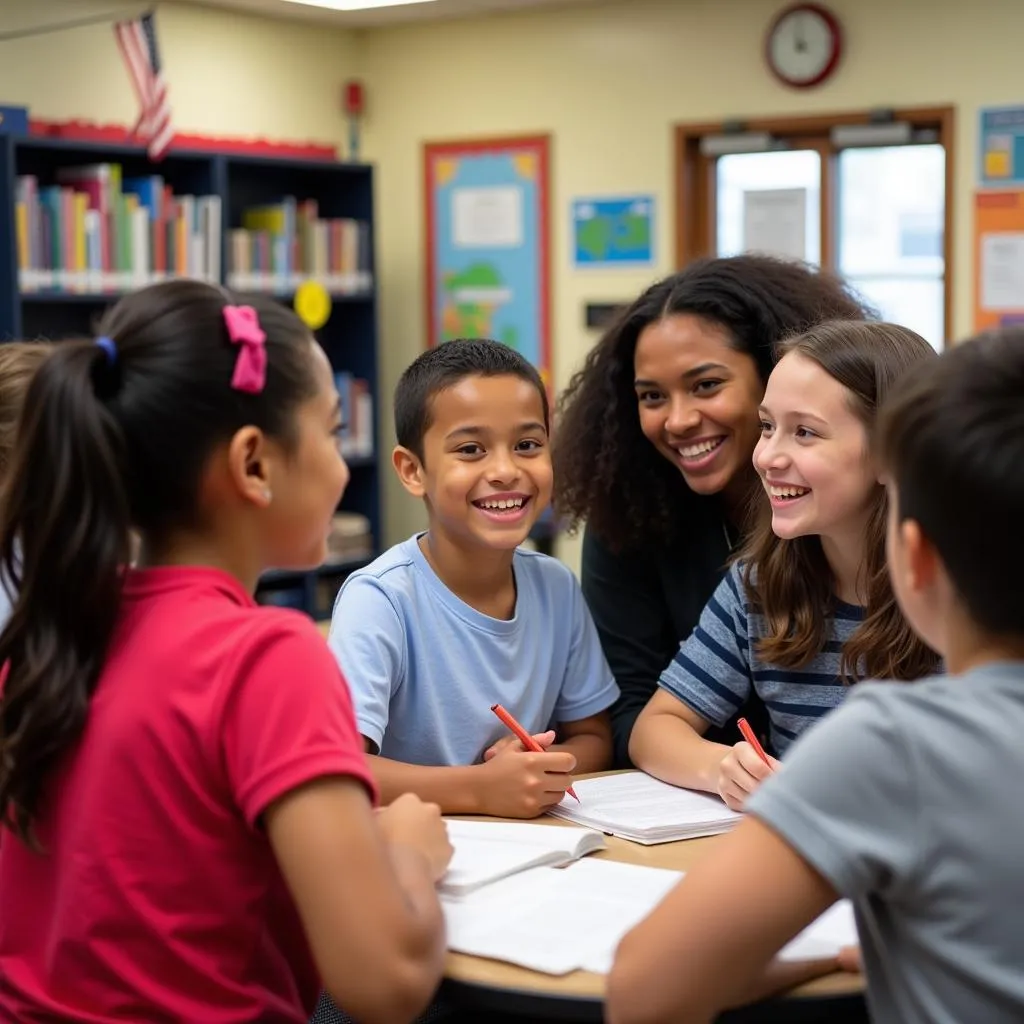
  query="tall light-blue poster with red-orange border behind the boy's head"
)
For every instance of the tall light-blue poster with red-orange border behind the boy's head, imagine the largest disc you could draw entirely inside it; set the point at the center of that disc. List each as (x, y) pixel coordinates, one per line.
(488, 244)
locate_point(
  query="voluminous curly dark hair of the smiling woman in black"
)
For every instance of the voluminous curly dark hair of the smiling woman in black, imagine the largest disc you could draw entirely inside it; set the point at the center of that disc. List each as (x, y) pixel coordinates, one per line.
(607, 473)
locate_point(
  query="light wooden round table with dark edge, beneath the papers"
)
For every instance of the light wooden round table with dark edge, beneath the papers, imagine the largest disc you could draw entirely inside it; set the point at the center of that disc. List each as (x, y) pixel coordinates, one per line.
(475, 983)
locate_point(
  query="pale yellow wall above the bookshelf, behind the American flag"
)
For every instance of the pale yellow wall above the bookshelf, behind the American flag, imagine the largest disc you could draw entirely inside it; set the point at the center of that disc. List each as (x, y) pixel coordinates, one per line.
(227, 74)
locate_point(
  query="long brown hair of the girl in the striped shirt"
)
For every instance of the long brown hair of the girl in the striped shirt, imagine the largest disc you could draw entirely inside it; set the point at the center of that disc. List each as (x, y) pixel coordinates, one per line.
(790, 582)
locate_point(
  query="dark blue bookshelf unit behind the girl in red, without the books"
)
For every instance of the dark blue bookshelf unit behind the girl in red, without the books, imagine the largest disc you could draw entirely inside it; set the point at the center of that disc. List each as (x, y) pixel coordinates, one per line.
(350, 337)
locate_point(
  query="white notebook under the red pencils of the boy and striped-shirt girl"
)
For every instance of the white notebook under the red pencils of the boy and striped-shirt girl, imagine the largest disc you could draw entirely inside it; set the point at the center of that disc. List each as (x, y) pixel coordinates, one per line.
(637, 807)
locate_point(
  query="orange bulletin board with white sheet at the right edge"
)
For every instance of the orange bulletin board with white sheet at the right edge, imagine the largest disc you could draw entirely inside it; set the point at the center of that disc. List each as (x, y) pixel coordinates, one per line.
(999, 259)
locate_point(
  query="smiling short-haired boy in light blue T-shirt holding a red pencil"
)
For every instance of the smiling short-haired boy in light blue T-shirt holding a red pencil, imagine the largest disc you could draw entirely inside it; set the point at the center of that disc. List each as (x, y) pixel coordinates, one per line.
(451, 622)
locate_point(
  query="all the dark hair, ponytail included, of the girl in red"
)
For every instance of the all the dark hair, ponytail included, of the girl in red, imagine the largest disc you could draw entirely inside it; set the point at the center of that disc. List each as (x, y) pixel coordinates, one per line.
(113, 438)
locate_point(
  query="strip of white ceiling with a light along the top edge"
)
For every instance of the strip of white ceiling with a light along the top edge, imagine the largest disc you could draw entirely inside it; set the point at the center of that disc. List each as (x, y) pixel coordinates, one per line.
(386, 16)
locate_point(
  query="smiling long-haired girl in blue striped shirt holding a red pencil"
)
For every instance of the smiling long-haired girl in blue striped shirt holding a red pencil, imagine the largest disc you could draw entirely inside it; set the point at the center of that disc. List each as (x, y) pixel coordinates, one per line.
(807, 608)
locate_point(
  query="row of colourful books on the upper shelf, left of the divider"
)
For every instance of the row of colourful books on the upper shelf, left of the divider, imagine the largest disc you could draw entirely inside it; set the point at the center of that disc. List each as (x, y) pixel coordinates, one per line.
(96, 231)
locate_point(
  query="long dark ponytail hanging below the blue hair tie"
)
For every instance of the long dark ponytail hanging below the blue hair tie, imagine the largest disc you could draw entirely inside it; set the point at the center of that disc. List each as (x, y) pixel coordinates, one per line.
(65, 544)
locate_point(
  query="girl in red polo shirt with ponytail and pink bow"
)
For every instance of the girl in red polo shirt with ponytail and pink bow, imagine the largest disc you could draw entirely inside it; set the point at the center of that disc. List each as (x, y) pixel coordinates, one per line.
(192, 834)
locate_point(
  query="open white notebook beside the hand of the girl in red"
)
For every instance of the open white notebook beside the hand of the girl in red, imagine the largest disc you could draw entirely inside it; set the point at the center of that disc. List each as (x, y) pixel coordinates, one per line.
(487, 851)
